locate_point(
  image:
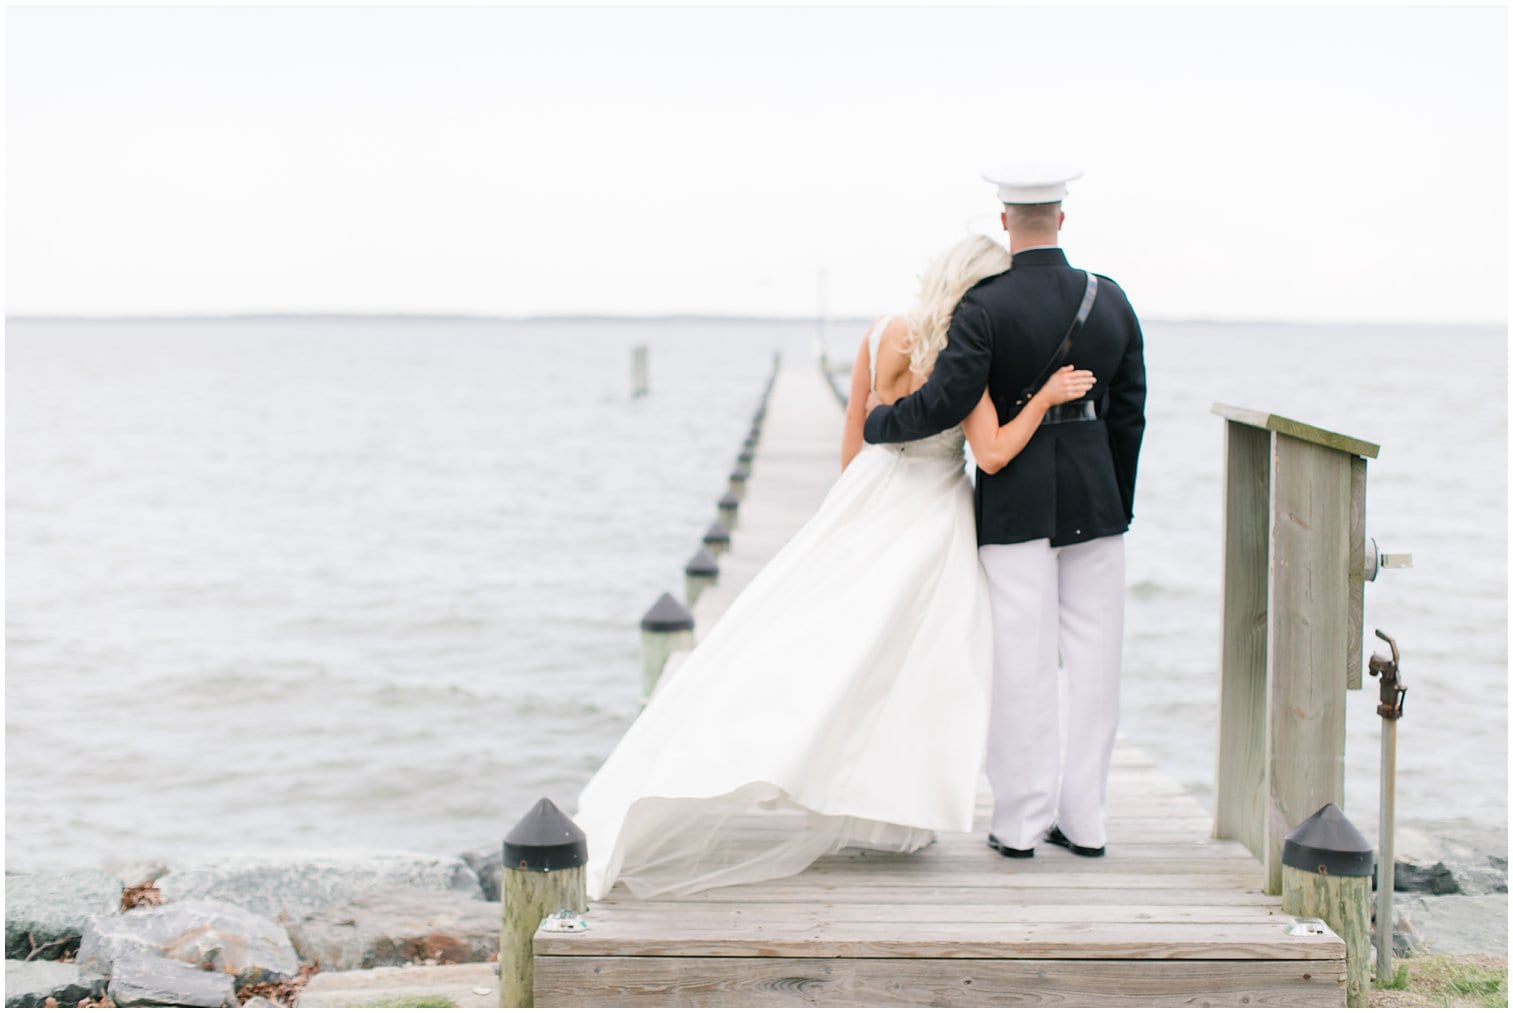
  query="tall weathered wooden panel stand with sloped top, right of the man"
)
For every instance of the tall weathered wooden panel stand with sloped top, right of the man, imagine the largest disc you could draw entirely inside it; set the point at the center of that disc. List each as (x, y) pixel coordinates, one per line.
(1291, 625)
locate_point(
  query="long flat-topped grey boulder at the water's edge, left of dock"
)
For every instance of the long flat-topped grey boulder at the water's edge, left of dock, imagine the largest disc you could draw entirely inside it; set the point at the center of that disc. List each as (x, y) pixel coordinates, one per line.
(290, 885)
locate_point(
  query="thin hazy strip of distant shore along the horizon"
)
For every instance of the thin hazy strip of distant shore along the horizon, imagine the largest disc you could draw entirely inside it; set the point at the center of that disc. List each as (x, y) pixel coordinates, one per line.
(635, 318)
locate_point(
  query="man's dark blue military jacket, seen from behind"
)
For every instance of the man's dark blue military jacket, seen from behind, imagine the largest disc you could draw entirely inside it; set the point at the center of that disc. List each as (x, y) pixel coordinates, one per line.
(1073, 482)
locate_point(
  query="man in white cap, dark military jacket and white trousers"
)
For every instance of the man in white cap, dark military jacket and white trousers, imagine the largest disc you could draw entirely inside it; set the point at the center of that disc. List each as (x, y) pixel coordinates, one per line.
(1051, 525)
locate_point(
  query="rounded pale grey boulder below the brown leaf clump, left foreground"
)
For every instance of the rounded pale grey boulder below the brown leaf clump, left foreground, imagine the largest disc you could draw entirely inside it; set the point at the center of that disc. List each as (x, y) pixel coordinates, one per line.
(207, 935)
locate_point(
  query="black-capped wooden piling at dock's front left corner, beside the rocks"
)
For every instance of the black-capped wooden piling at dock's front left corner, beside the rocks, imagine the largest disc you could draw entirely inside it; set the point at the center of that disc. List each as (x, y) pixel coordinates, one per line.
(544, 873)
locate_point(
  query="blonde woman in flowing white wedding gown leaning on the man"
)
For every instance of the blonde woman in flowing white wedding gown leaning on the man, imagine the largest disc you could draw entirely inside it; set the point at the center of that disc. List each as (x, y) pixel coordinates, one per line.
(842, 701)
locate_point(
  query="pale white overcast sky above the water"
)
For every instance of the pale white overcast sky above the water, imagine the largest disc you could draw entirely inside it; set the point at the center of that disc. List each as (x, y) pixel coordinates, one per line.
(1344, 164)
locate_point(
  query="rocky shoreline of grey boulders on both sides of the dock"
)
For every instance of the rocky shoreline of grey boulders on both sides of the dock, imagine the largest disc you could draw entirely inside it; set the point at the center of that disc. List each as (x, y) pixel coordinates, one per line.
(250, 929)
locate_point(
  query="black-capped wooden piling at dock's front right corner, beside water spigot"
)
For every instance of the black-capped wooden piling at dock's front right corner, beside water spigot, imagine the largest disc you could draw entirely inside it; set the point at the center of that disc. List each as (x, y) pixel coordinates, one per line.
(1326, 875)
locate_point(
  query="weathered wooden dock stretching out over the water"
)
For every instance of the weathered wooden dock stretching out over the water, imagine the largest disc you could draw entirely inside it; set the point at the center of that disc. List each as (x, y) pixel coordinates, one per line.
(1170, 917)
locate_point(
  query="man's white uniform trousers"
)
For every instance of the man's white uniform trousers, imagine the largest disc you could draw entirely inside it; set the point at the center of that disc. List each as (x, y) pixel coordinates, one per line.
(1067, 598)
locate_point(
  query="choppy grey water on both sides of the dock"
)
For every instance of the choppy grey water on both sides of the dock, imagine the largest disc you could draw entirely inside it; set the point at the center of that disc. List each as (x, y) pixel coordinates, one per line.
(374, 583)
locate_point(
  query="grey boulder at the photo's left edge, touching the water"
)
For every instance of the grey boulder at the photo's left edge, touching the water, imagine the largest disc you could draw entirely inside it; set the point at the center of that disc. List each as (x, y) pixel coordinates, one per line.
(55, 905)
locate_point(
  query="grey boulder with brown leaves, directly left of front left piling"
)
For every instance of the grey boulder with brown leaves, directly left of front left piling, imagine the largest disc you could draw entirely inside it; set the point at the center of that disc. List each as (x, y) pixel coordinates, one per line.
(396, 928)
